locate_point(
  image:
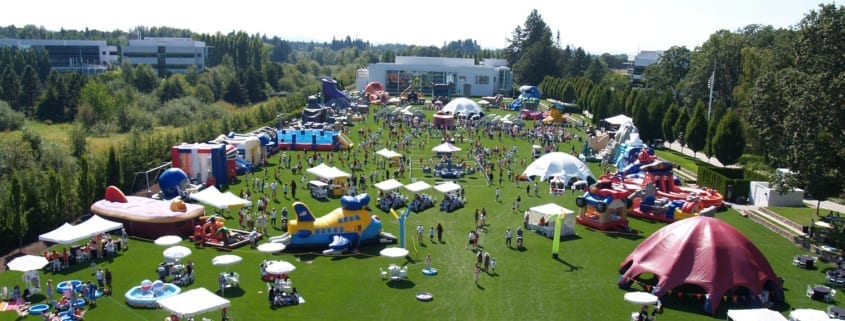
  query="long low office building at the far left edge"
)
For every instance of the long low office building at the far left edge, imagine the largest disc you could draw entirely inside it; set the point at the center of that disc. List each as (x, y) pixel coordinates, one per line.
(70, 55)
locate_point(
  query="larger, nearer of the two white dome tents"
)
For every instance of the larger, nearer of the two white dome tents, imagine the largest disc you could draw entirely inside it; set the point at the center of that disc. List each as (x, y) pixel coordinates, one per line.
(558, 164)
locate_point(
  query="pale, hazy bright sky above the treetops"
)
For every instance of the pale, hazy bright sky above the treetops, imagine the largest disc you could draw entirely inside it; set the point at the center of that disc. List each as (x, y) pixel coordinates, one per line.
(615, 26)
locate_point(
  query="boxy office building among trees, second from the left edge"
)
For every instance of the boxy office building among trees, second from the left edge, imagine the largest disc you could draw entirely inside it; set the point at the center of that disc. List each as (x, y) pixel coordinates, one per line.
(166, 55)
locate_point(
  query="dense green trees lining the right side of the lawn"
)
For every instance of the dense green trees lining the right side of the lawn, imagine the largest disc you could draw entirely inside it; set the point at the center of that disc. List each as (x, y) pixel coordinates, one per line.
(776, 95)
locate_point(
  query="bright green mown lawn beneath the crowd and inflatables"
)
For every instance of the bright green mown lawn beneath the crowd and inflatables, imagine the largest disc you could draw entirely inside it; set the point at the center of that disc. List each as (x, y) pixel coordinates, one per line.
(527, 285)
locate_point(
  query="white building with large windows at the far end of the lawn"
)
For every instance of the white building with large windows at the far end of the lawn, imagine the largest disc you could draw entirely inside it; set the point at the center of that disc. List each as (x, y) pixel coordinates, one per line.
(462, 75)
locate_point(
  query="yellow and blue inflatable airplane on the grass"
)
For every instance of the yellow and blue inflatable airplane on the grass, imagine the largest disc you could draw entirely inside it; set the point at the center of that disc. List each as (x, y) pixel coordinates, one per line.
(350, 225)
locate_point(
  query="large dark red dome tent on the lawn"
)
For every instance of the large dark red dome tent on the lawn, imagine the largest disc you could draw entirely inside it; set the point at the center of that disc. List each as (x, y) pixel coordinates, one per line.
(705, 252)
